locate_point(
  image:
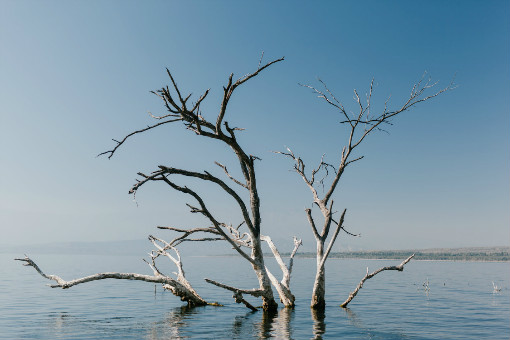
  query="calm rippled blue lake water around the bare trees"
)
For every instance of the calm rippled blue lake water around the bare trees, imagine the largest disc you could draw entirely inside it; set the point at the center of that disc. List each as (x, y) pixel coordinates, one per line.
(393, 305)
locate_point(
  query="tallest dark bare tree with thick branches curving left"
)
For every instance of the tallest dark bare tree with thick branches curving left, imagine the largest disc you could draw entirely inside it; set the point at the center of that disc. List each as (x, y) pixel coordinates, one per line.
(246, 239)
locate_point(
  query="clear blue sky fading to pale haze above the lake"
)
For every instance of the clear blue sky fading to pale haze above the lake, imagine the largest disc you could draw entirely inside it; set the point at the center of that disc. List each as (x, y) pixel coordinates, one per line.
(75, 74)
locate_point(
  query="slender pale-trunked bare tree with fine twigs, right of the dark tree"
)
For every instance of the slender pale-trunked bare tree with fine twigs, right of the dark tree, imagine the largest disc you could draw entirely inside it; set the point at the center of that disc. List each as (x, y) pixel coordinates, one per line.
(360, 125)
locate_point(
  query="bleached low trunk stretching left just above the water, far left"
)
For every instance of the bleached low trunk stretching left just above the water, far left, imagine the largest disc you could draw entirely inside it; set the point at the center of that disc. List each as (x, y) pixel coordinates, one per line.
(179, 286)
